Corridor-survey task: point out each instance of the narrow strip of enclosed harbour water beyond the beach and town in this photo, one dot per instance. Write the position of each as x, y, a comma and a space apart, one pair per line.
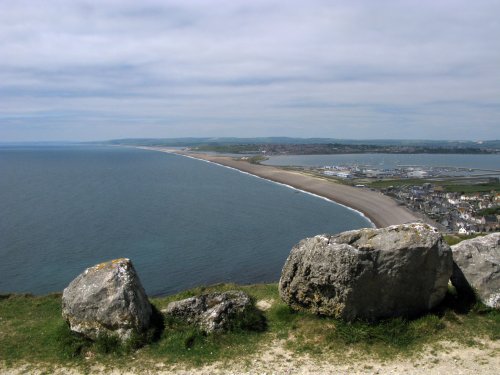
390, 161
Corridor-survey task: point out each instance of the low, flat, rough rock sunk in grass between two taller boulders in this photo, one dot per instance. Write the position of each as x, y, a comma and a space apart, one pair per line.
214, 312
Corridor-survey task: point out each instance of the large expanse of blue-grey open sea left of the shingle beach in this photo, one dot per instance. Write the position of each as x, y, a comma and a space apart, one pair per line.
183, 222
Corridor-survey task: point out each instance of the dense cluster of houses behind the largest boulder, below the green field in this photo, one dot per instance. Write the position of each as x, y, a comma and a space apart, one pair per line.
456, 212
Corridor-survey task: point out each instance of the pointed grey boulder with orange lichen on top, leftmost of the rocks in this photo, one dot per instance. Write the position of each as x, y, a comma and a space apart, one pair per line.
107, 299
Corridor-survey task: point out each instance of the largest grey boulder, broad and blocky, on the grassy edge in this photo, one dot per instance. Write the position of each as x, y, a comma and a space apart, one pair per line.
401, 270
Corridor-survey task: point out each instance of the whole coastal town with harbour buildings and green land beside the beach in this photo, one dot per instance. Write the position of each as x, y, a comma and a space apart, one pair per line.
472, 207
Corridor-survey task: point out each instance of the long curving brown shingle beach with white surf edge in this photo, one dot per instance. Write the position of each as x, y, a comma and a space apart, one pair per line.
381, 210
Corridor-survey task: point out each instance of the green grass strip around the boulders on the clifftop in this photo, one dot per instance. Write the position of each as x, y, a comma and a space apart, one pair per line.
34, 332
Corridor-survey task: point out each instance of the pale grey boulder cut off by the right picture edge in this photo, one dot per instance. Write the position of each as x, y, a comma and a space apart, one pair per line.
477, 266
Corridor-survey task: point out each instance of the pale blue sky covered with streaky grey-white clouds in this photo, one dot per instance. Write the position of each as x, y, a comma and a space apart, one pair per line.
356, 69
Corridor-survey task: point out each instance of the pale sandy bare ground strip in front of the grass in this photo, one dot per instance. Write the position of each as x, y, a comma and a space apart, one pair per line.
445, 358
